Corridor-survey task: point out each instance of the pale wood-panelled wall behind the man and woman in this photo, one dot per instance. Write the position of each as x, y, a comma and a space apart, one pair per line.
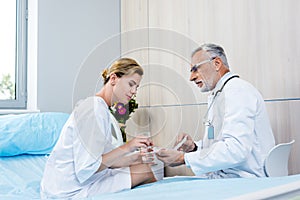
262, 43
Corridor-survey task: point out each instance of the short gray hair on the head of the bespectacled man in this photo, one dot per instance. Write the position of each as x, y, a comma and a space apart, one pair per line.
213, 50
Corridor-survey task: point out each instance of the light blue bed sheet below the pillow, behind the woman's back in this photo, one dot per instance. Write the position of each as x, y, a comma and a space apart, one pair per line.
20, 176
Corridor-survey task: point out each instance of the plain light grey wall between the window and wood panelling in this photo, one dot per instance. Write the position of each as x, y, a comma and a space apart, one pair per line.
68, 31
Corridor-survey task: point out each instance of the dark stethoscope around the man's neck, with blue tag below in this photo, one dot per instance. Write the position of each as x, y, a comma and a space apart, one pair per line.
208, 123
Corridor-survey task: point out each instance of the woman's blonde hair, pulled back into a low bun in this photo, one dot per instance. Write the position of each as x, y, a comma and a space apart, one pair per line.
121, 67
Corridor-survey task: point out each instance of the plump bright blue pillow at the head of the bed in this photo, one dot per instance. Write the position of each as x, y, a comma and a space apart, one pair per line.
33, 133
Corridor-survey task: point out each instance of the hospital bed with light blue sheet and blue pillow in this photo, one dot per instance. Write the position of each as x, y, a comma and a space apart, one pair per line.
21, 171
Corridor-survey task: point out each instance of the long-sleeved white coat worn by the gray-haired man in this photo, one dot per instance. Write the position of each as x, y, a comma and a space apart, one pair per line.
242, 133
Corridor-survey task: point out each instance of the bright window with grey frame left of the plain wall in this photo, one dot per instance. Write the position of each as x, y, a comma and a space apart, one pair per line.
13, 50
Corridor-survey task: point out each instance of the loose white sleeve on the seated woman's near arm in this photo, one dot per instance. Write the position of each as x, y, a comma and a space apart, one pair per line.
91, 124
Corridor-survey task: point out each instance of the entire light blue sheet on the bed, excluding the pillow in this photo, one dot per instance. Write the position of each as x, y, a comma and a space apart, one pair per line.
20, 177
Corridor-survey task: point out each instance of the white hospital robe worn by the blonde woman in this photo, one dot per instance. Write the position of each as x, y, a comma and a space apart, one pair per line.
70, 171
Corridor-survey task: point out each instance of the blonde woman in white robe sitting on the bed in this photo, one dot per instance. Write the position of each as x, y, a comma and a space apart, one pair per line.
90, 157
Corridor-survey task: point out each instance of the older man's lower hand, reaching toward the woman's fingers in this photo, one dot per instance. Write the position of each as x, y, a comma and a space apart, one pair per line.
171, 157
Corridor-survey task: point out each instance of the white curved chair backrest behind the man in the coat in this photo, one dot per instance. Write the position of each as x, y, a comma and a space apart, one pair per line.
276, 162
